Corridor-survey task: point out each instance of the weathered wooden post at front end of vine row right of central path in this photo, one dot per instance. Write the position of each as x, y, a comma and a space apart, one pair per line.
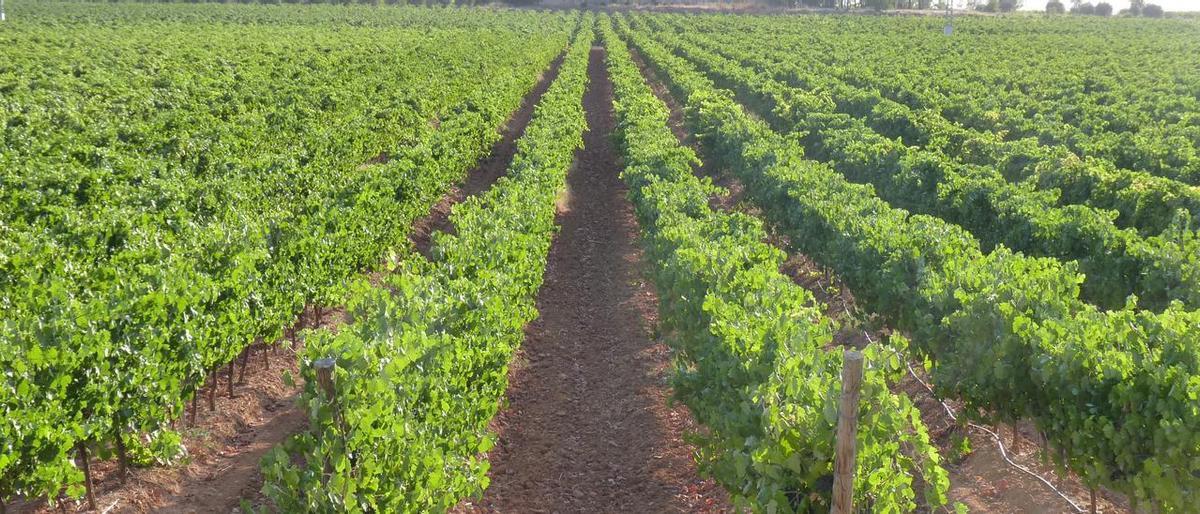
848, 432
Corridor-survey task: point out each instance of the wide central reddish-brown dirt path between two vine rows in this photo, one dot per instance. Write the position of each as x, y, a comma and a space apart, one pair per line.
589, 426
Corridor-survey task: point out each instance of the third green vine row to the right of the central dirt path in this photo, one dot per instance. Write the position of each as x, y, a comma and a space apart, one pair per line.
1118, 262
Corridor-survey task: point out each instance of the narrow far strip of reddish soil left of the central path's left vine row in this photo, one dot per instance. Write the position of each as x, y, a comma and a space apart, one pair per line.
488, 171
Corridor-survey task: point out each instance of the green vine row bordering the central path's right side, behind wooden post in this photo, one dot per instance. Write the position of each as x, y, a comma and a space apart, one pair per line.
755, 368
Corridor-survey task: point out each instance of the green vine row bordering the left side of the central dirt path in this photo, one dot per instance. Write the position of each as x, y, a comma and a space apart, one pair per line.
424, 366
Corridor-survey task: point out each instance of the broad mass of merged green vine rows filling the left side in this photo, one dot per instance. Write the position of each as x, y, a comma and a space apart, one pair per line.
178, 186
